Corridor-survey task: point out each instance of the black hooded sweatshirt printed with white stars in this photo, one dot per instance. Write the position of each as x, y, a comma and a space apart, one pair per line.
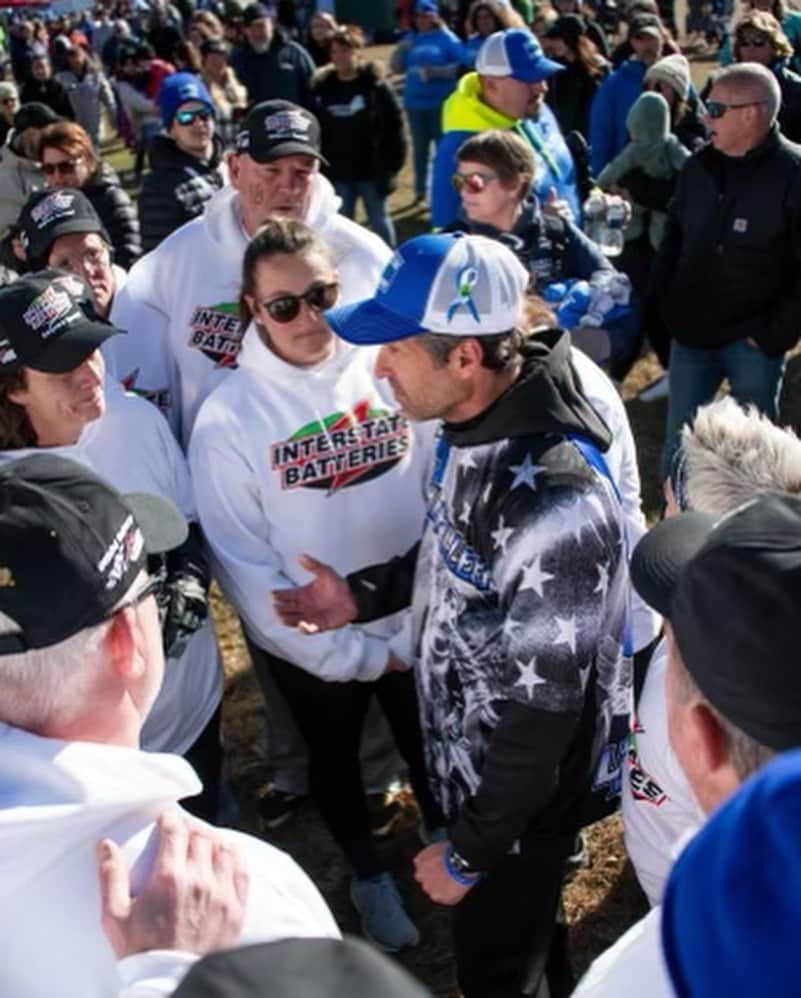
520, 615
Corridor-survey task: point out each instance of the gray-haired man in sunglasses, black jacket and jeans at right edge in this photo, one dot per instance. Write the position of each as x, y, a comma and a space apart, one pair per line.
727, 279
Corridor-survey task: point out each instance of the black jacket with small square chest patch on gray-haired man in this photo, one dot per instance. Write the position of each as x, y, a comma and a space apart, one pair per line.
729, 267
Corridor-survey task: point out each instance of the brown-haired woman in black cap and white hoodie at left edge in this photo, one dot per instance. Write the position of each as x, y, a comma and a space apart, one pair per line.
58, 398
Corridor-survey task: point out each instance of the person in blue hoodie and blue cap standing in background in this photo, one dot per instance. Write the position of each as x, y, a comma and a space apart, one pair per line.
430, 56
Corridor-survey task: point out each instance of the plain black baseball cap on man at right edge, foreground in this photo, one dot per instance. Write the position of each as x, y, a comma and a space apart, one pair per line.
731, 589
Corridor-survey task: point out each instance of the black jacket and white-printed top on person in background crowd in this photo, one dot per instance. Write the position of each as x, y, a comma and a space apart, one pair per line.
361, 115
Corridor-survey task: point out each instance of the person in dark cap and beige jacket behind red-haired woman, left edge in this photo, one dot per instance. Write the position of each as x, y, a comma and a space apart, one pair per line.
20, 171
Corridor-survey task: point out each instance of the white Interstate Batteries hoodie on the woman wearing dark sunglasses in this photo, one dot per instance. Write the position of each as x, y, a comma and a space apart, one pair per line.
287, 460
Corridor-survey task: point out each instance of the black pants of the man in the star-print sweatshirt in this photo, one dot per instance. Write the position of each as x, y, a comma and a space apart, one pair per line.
506, 938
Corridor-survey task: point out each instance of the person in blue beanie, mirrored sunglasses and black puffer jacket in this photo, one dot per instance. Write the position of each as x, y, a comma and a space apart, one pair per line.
186, 160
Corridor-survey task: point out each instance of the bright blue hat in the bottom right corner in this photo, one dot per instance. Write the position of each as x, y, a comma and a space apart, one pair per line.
730, 916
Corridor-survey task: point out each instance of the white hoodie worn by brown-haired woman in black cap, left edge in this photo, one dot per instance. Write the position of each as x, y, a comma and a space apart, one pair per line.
132, 448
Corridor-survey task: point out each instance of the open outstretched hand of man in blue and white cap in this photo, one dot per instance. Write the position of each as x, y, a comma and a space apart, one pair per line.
323, 605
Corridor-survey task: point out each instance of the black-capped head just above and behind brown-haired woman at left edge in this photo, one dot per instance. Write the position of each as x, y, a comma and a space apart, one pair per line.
60, 229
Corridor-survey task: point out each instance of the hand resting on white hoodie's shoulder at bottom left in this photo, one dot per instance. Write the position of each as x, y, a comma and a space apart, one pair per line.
194, 899
